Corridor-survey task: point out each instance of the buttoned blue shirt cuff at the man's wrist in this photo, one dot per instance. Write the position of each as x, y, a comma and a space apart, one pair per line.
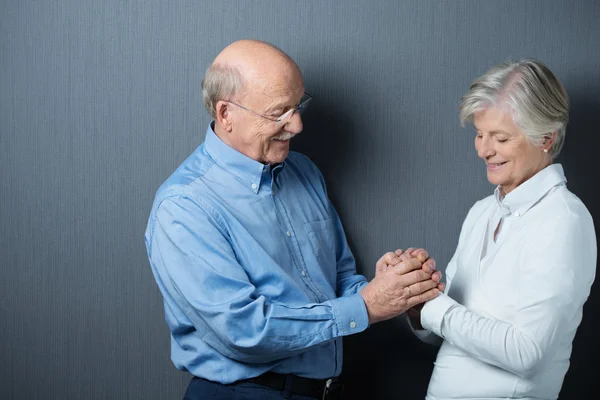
350, 314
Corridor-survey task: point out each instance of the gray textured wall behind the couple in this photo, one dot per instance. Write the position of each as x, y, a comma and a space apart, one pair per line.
100, 101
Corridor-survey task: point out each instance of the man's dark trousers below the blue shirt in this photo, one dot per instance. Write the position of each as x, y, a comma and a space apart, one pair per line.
201, 389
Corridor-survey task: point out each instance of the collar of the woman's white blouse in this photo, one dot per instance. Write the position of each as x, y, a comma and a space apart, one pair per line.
527, 194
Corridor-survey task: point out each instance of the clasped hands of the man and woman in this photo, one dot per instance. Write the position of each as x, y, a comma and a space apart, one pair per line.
403, 280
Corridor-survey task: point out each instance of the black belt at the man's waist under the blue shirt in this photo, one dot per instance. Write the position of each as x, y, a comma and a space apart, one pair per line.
317, 388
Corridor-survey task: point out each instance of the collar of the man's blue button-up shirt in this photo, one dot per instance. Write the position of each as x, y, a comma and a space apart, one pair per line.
247, 170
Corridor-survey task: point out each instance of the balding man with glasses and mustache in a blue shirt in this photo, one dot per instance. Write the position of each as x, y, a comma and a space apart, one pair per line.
259, 283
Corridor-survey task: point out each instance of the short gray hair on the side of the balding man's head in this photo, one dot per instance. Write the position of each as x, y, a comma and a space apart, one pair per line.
220, 82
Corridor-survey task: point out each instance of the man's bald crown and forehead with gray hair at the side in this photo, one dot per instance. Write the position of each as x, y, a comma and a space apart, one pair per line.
246, 66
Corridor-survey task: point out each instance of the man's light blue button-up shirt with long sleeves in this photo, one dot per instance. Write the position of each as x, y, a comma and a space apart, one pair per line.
254, 267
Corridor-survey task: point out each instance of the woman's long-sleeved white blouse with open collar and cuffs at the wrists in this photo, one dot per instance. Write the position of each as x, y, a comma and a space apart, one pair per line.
512, 305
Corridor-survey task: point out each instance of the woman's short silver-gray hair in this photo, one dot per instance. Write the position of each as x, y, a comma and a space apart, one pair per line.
537, 100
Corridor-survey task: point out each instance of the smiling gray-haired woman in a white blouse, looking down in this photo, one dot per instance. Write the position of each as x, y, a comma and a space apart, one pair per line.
526, 255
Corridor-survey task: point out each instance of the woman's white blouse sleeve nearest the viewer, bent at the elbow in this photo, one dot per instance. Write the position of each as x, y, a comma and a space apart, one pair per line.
557, 268
